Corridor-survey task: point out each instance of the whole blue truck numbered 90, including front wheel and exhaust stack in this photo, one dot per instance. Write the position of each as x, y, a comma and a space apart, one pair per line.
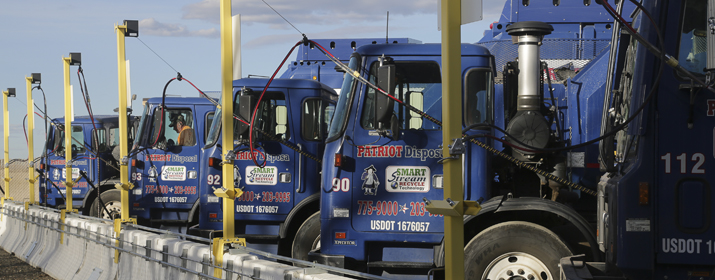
382, 160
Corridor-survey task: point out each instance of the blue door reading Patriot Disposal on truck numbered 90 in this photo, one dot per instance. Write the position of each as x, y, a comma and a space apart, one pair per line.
393, 174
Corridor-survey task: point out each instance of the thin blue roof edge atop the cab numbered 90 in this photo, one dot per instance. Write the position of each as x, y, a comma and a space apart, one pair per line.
419, 49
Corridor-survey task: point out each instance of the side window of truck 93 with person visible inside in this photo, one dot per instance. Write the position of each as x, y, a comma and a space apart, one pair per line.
173, 127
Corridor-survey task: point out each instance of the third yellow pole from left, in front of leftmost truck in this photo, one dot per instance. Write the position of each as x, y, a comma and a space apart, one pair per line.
69, 181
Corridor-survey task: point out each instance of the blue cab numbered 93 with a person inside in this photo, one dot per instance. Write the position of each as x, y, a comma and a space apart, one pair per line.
165, 161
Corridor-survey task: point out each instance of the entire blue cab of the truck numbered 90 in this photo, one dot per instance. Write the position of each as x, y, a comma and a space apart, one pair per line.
372, 205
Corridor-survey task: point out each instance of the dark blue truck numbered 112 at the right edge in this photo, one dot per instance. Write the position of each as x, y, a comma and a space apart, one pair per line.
655, 201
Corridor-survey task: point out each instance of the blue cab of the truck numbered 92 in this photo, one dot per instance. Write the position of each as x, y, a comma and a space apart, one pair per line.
281, 194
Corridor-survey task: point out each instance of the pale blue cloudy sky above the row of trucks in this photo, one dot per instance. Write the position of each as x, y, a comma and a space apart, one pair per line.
178, 35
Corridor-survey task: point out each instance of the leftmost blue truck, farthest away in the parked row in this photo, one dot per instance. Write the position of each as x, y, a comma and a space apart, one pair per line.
94, 166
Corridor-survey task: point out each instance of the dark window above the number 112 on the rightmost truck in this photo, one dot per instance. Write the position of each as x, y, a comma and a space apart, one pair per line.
692, 52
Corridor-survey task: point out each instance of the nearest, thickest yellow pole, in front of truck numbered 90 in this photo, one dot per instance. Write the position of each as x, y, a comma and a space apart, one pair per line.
451, 98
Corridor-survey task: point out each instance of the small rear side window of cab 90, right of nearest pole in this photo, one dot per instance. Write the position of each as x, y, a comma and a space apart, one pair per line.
478, 96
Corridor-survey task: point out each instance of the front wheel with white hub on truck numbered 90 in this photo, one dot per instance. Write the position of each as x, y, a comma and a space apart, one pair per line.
514, 249
